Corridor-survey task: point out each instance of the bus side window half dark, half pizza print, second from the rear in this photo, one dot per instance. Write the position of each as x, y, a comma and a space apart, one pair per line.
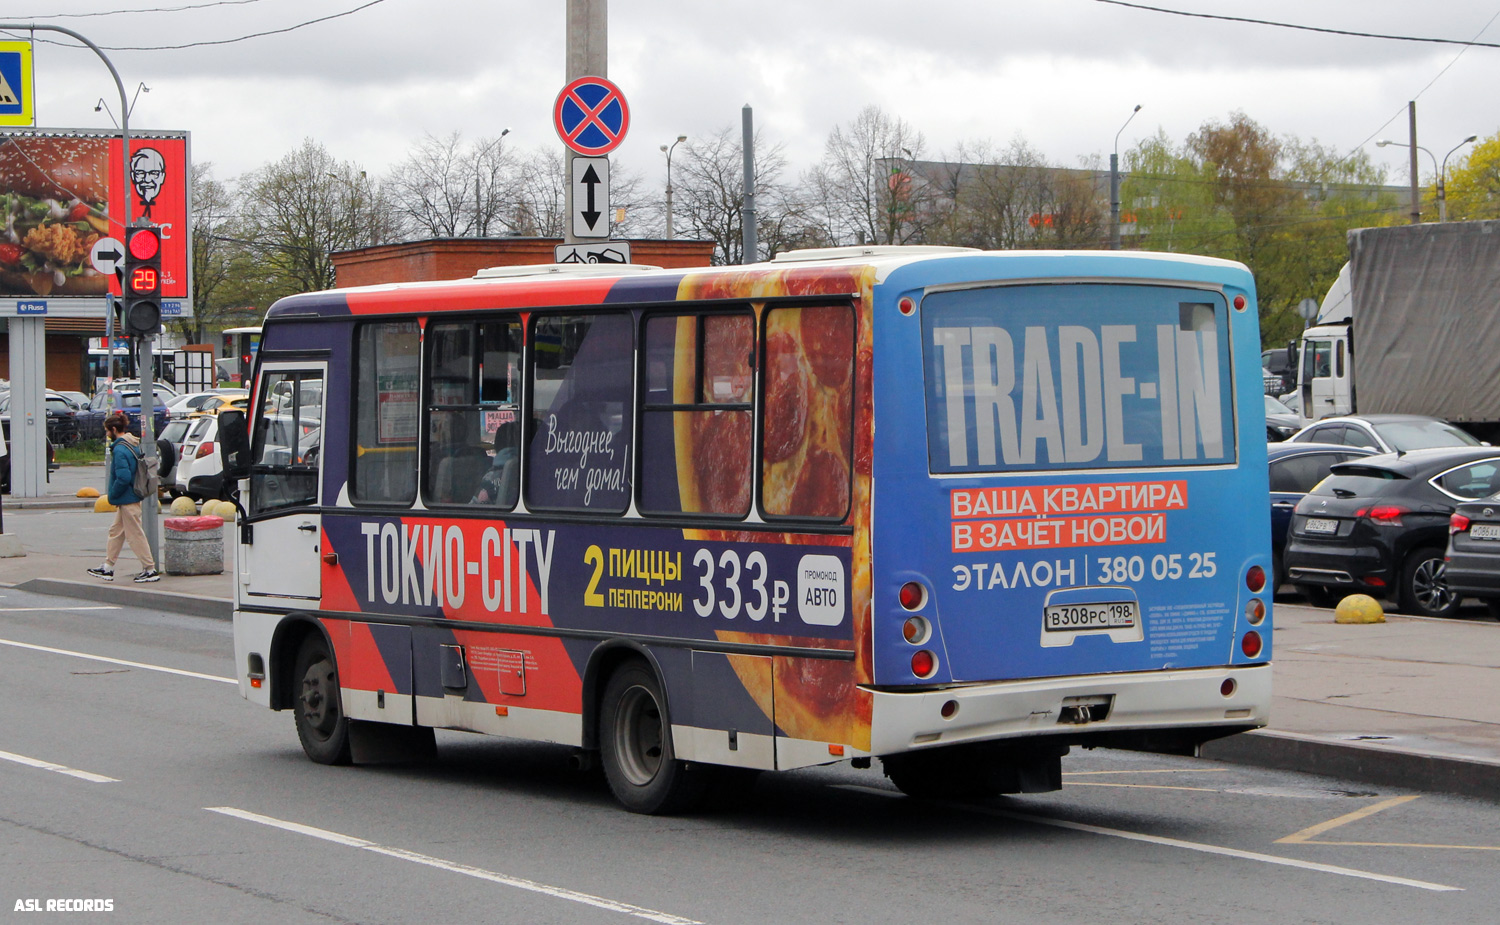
698, 430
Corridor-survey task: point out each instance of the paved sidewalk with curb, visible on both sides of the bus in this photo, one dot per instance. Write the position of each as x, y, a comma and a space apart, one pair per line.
1403, 704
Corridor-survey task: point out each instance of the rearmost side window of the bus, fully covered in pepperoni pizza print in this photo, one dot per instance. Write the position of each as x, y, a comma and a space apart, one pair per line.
809, 412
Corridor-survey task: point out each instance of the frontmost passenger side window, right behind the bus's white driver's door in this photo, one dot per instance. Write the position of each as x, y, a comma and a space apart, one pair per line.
388, 413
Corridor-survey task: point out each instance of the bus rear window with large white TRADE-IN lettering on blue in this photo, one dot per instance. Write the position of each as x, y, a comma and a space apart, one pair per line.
1076, 377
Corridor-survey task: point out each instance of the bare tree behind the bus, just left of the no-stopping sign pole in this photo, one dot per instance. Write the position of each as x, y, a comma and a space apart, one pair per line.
449, 190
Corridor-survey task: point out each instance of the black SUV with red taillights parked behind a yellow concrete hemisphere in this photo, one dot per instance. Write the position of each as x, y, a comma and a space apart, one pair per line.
1379, 527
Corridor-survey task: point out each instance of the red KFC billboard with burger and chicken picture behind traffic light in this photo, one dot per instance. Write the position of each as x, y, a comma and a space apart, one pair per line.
62, 196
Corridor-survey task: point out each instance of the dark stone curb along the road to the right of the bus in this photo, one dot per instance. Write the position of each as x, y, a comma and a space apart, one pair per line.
1358, 762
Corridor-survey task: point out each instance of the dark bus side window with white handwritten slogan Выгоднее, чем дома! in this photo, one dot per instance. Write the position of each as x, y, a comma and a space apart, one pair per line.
583, 413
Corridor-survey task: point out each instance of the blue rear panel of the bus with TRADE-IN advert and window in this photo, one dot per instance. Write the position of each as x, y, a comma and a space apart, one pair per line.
1076, 491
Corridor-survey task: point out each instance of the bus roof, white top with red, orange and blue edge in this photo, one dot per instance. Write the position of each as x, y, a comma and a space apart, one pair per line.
550, 286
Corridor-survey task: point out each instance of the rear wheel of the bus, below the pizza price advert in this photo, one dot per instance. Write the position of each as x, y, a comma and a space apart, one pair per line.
635, 740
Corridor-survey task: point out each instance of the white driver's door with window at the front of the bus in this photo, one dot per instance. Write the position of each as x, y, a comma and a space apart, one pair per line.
281, 557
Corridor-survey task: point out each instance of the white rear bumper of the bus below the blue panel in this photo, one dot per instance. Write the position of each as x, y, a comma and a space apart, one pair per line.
1114, 710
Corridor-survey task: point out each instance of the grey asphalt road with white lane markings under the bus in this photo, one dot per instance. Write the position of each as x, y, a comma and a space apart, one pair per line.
133, 773
